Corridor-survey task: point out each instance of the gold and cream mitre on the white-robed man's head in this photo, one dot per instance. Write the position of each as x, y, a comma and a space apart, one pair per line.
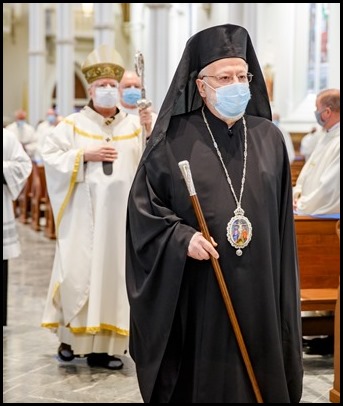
102, 63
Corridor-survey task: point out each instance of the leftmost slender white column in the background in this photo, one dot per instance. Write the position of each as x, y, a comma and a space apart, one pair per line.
37, 63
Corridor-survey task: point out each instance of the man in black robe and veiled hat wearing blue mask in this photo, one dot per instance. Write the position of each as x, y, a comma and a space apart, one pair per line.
216, 115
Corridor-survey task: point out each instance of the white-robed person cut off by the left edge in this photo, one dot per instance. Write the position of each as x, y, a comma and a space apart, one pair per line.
17, 167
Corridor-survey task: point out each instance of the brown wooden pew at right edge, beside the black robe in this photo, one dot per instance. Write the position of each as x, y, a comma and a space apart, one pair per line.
319, 265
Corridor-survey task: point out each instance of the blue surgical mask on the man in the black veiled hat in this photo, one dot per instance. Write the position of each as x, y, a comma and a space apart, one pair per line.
232, 100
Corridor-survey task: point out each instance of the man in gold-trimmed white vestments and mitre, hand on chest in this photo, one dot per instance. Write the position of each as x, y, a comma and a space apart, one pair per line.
90, 161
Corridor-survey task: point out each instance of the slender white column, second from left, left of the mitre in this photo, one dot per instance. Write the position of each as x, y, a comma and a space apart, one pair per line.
65, 58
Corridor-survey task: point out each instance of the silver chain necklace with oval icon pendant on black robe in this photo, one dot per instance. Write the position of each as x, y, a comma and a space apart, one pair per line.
239, 229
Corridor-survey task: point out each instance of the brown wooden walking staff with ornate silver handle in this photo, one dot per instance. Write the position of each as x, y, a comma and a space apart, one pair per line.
187, 175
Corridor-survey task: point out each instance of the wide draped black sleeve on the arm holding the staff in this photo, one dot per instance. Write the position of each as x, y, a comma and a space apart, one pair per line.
157, 243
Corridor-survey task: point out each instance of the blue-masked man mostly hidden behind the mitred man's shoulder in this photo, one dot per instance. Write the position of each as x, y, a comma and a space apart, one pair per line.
130, 90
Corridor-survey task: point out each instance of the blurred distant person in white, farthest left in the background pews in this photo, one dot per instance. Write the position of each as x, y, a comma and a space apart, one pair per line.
24, 131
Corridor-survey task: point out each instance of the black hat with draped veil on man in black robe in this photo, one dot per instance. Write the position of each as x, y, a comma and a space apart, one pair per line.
203, 48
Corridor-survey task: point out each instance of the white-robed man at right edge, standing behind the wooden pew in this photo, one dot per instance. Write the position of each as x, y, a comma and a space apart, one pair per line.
317, 190
